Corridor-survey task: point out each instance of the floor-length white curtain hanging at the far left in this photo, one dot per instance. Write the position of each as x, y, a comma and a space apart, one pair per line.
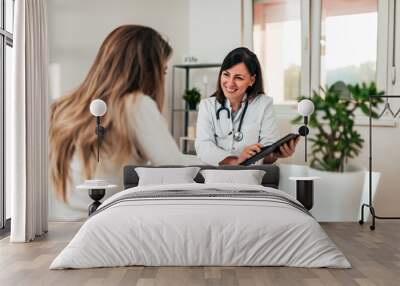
26, 117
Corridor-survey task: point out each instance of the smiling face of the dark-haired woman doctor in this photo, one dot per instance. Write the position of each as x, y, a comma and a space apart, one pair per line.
235, 81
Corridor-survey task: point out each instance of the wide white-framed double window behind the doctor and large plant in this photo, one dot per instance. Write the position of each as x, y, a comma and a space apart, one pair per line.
305, 44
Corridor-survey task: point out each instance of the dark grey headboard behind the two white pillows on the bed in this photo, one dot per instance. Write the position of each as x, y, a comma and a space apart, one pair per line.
270, 179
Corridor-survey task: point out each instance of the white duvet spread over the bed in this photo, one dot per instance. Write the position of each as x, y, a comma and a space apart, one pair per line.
200, 231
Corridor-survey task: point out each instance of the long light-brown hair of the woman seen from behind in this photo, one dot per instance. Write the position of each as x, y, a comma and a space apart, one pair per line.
131, 59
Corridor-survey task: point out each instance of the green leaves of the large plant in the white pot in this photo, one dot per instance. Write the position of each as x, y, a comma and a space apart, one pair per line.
335, 139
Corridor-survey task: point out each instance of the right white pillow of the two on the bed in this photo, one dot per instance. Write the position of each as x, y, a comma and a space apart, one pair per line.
248, 177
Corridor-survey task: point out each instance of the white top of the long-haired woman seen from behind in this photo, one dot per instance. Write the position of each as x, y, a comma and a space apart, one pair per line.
154, 142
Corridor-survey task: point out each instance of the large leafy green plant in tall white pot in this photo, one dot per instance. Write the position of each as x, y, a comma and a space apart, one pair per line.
334, 140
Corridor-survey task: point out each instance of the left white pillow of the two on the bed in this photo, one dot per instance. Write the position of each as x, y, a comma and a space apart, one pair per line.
165, 176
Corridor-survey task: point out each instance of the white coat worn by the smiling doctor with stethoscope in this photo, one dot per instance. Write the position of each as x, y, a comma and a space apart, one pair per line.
214, 138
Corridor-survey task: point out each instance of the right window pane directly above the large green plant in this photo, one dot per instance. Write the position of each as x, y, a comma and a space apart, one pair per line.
349, 31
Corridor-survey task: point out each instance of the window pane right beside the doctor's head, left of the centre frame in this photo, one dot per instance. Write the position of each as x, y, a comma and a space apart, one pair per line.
277, 43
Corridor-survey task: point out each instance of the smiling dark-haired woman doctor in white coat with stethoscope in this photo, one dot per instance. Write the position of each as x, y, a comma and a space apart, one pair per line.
238, 119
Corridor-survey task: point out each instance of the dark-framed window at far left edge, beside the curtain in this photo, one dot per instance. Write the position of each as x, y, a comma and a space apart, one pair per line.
6, 43
